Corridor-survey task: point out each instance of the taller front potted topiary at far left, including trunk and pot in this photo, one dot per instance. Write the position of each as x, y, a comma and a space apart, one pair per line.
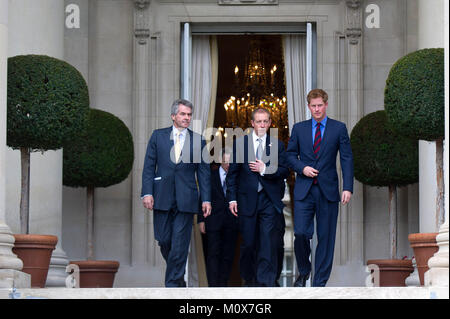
47, 105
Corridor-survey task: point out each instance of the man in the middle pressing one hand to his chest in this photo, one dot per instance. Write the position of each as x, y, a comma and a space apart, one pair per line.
254, 193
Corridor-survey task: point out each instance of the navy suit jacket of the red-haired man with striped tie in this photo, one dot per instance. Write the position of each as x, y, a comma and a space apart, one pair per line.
300, 153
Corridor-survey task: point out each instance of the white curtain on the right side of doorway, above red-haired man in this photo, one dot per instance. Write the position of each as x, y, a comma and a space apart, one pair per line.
295, 65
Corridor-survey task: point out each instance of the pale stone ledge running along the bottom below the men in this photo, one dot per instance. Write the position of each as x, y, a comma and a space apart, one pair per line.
230, 293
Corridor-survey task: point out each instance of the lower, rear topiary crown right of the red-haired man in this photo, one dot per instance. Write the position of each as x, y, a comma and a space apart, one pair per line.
382, 156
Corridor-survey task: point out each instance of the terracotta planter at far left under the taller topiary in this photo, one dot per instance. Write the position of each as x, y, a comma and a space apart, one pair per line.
35, 251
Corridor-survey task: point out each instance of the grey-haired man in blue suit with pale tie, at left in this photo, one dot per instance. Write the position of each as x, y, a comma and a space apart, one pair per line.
169, 188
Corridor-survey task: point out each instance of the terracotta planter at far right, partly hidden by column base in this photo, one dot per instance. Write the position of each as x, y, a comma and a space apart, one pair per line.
424, 246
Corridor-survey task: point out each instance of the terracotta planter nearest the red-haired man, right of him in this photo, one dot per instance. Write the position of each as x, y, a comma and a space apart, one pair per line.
393, 272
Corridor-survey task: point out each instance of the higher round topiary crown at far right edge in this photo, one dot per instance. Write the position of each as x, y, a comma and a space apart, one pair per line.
414, 94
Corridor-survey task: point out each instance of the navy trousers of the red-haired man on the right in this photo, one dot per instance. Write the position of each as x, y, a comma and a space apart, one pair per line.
326, 213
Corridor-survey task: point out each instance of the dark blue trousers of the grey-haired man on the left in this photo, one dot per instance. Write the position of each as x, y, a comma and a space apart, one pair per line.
173, 232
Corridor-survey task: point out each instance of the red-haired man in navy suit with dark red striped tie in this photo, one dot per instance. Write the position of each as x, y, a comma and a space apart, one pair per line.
311, 153
